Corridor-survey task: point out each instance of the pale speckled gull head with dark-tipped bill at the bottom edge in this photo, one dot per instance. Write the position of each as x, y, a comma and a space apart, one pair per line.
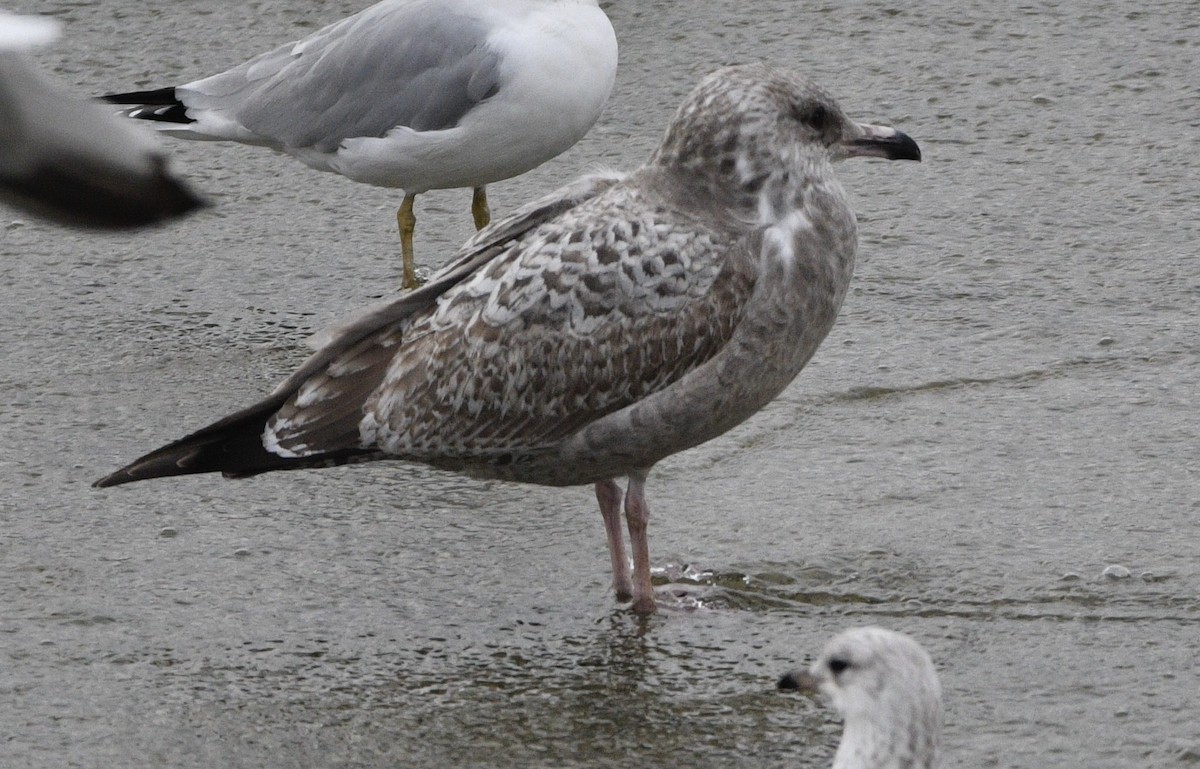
885, 687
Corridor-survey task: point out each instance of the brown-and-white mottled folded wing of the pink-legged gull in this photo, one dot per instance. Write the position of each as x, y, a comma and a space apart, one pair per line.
580, 317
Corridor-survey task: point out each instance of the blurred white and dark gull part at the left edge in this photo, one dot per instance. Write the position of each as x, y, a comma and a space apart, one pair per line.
67, 159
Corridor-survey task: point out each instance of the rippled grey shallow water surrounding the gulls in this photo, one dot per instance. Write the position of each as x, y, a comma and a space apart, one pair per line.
1006, 410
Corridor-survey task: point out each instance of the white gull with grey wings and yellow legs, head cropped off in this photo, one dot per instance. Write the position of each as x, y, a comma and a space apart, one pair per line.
413, 94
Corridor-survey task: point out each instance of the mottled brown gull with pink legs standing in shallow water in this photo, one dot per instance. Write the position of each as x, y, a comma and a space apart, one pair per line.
598, 331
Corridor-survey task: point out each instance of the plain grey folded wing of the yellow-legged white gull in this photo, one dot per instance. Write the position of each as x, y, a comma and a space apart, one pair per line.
394, 57
